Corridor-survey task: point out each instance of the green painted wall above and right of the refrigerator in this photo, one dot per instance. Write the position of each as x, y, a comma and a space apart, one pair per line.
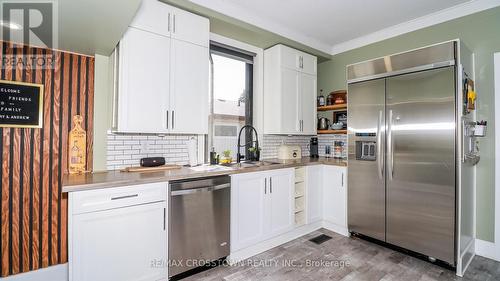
481, 33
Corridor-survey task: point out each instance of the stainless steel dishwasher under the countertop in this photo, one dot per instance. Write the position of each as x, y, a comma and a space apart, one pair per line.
198, 222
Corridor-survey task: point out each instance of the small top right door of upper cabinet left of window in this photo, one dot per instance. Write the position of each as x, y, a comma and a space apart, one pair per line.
186, 27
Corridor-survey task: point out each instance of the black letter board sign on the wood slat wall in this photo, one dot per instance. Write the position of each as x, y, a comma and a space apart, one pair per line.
21, 104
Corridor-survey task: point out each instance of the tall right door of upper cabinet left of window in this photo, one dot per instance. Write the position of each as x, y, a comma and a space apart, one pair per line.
189, 88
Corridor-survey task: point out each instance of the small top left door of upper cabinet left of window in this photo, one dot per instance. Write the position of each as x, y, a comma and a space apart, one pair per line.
153, 16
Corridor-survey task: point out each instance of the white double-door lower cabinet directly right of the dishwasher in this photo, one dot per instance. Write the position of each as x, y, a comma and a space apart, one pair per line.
261, 206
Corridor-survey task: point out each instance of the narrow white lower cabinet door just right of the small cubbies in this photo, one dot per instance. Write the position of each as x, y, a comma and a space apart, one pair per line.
314, 193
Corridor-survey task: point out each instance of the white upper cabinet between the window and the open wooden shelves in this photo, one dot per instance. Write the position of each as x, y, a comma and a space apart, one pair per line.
290, 84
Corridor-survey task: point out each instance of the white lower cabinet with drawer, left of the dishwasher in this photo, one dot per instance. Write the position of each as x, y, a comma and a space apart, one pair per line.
121, 236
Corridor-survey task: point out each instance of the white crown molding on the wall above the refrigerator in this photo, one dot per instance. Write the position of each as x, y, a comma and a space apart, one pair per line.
451, 13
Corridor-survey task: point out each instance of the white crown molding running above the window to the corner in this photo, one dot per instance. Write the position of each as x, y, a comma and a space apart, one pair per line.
229, 9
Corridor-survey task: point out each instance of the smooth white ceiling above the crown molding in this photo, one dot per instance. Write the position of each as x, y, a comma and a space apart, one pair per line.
333, 26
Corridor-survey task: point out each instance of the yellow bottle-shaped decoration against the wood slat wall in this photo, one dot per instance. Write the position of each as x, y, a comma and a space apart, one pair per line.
77, 149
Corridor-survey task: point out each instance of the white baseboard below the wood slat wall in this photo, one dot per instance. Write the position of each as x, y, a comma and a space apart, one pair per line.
52, 273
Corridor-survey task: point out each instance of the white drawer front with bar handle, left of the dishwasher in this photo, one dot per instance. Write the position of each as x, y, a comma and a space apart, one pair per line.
111, 198
